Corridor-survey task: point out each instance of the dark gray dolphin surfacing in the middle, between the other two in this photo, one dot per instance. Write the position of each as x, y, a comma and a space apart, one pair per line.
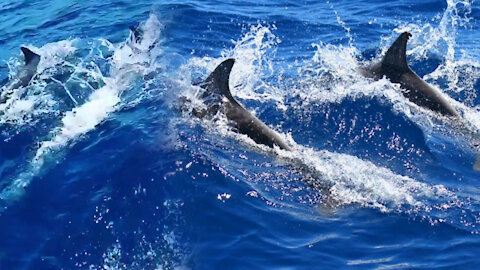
244, 122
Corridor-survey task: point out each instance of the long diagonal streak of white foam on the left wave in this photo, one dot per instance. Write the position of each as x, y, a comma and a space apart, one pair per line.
129, 62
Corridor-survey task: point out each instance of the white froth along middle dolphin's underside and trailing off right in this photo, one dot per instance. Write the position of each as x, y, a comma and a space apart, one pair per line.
351, 180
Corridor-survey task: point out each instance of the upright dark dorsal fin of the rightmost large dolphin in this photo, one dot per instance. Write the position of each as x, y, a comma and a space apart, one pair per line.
396, 56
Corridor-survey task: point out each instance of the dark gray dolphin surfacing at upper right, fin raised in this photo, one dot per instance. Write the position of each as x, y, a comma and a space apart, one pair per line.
394, 66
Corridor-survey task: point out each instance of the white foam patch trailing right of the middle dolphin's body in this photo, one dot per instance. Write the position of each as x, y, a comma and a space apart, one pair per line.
356, 181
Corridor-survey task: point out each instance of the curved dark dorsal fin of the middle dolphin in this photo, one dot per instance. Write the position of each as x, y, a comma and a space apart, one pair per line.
218, 80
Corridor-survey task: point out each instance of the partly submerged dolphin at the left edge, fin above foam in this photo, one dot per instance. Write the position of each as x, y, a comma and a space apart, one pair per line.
24, 76
